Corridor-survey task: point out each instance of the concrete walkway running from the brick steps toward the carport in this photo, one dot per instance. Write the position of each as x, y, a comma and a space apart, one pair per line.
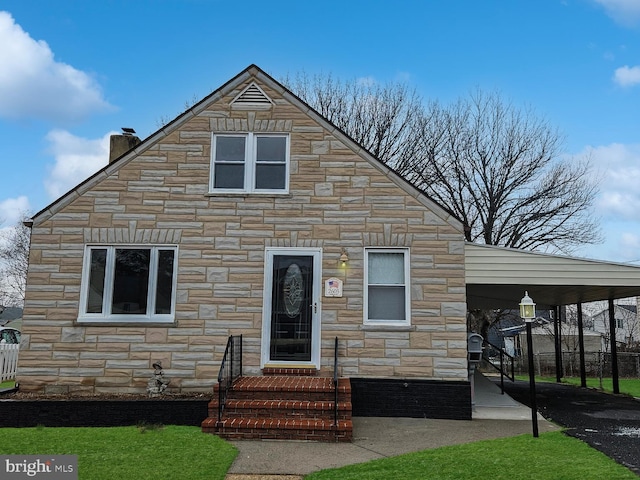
494, 416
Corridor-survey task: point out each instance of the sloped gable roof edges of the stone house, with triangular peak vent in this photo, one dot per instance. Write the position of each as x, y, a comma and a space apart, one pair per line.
444, 214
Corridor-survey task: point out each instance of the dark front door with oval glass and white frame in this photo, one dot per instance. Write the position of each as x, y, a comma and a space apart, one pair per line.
291, 329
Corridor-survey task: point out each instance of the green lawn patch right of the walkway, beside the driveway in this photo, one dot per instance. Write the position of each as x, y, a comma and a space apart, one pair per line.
553, 456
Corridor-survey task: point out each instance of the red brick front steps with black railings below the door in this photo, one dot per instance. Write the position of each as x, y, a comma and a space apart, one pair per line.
283, 408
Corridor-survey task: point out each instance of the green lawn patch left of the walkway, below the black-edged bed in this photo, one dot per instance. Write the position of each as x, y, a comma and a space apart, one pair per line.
141, 453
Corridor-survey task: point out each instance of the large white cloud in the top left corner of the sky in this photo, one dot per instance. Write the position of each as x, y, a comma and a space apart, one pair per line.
34, 85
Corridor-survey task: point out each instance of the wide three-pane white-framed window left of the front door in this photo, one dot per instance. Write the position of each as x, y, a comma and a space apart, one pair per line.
128, 284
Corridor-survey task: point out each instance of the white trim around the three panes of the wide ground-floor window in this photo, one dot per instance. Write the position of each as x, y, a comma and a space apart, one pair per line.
105, 316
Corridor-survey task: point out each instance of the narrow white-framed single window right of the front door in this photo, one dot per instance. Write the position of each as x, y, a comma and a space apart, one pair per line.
387, 292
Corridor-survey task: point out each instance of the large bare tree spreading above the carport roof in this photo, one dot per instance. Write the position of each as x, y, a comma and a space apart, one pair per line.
500, 170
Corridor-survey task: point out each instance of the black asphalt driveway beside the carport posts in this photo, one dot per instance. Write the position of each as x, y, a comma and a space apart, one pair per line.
609, 423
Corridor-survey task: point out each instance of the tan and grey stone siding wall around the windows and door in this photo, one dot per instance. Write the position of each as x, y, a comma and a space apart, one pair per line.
337, 200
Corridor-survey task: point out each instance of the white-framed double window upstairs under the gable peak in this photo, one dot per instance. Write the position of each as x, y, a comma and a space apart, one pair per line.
250, 162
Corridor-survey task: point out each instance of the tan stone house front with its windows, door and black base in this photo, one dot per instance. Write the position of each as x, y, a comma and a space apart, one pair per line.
249, 214
